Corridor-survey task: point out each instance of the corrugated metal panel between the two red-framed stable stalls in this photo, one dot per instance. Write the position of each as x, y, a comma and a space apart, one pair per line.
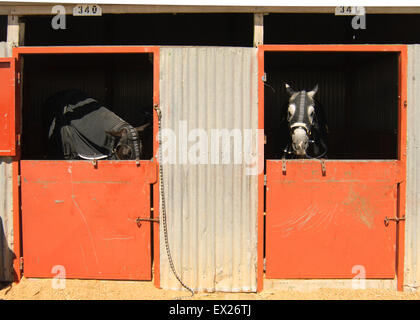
211, 209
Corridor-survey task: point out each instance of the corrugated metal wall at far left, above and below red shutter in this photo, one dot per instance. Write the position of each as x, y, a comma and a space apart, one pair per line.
6, 204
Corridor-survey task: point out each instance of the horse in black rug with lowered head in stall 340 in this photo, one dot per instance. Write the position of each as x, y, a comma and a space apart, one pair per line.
81, 128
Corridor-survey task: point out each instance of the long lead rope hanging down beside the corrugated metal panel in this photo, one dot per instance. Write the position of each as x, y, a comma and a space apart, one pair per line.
162, 199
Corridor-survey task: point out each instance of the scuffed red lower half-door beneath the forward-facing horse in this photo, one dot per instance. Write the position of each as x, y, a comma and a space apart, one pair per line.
330, 223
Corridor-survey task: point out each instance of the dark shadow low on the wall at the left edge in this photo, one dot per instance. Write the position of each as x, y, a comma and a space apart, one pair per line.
6, 260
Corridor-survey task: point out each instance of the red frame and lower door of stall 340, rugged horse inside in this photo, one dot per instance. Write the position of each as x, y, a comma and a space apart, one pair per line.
80, 219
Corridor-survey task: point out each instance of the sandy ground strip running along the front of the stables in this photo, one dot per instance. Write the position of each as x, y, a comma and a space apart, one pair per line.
42, 289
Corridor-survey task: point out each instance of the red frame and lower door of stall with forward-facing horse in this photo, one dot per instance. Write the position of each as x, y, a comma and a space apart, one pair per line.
334, 219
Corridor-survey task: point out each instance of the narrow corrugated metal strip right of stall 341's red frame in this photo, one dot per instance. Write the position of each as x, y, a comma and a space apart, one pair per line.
412, 225
